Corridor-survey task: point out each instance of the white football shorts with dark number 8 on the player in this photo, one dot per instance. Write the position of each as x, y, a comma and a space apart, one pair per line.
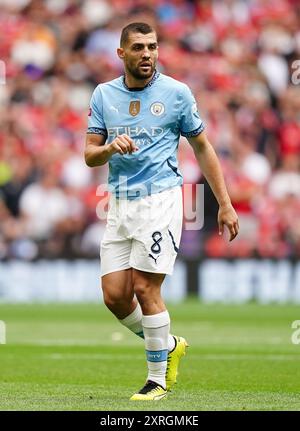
143, 234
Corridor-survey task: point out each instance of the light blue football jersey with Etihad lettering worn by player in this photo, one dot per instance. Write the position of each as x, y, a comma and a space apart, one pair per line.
154, 117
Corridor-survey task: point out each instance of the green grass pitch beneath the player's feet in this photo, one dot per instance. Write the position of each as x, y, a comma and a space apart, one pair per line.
78, 357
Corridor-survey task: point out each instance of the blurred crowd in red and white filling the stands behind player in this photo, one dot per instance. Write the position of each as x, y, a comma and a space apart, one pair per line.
238, 57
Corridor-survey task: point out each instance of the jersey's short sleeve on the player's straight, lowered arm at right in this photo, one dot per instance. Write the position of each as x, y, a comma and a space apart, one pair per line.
191, 123
